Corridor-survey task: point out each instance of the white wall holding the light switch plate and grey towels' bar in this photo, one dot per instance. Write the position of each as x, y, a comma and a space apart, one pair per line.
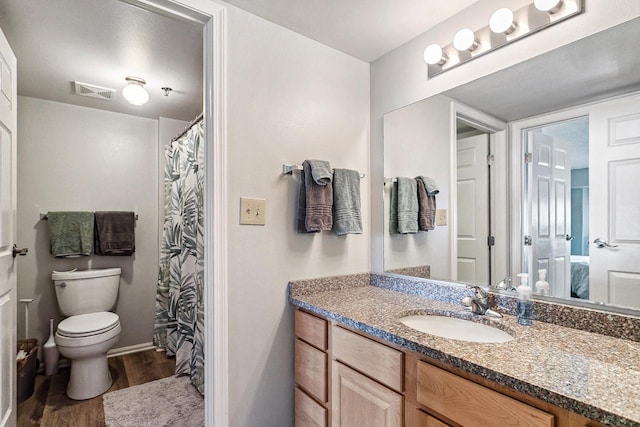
289, 99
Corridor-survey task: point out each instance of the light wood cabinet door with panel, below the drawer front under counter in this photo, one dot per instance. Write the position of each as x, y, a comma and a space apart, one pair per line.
358, 401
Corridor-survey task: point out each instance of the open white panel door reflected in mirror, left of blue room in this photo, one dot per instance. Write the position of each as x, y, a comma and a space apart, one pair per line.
549, 189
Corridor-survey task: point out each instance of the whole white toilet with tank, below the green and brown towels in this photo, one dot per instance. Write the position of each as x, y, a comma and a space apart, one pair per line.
90, 330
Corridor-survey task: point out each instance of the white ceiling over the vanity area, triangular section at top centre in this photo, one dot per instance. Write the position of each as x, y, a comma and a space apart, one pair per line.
365, 29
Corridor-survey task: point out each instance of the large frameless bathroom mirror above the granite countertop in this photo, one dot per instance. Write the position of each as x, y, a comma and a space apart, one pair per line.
473, 139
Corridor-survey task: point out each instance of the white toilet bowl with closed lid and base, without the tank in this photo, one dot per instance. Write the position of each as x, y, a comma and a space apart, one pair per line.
85, 340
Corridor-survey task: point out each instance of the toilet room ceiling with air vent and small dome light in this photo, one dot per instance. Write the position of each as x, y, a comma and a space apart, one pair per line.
101, 42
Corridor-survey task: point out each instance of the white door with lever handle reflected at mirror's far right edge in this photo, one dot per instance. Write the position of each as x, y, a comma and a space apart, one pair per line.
614, 159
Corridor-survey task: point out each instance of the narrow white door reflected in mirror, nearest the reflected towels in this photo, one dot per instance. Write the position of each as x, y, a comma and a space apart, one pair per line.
473, 209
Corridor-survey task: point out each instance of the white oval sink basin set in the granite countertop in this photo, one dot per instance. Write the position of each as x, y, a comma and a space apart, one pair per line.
457, 329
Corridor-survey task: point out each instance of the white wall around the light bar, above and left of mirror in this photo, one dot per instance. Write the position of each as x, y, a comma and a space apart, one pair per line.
400, 77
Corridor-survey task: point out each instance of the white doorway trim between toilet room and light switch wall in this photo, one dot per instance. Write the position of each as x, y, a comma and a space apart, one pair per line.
213, 17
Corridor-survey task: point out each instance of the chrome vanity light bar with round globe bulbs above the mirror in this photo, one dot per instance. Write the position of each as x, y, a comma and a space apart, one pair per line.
505, 26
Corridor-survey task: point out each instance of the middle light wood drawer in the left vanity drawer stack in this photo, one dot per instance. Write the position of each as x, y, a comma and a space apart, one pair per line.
311, 370
